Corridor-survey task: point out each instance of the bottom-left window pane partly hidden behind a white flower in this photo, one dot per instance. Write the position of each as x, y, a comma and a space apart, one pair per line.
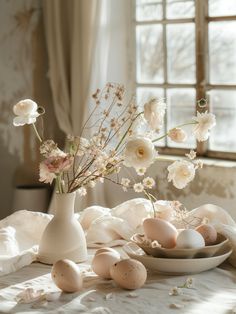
144, 95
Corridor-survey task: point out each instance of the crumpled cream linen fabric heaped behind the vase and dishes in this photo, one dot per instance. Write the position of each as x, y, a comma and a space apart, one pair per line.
20, 232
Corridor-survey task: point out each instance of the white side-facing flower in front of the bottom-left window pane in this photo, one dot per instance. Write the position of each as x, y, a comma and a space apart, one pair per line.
154, 112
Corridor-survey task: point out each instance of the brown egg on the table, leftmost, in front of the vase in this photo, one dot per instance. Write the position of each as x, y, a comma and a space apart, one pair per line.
66, 276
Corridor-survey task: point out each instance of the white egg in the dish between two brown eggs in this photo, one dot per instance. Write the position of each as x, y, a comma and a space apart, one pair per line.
189, 239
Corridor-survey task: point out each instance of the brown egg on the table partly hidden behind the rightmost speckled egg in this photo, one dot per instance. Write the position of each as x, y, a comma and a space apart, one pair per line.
102, 263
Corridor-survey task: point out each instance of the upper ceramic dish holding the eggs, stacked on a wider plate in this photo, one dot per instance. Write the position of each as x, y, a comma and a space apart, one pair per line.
157, 251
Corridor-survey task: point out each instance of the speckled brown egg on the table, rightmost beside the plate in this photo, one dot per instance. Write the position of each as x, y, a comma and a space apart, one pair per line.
129, 274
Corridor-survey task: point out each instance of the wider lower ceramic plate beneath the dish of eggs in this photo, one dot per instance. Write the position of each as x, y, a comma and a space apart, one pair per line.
177, 266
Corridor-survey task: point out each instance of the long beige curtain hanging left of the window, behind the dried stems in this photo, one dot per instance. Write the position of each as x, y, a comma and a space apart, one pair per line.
87, 47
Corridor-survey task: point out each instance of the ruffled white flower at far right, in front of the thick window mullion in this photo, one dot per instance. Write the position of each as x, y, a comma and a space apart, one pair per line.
205, 122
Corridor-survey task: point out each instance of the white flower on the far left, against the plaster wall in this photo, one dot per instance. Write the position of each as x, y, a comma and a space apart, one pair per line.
26, 112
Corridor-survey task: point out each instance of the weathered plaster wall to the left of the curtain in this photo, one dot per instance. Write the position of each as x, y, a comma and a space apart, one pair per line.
23, 74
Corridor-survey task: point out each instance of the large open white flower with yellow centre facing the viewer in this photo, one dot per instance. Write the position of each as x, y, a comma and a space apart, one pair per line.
139, 152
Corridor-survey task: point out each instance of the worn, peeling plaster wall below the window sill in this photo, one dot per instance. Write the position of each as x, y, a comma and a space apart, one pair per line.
215, 183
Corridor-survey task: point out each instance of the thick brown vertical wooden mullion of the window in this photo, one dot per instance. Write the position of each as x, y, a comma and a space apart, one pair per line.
201, 64
